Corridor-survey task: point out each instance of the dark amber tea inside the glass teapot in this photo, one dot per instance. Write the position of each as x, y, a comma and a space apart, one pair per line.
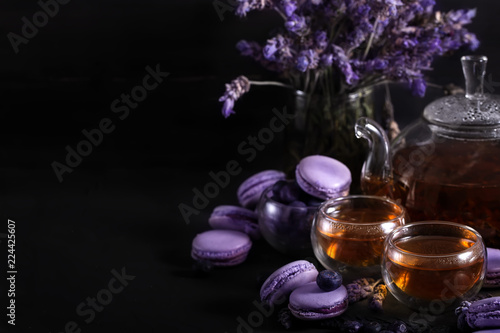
448, 189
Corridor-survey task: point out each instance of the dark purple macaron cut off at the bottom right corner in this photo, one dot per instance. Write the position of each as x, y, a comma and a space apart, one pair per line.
484, 313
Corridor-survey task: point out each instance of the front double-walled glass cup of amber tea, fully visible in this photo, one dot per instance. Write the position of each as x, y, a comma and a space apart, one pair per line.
433, 261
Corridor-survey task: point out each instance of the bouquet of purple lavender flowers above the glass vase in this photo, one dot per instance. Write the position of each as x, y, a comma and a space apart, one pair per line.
336, 47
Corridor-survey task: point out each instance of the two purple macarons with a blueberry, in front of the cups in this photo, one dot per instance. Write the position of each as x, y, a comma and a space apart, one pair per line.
311, 295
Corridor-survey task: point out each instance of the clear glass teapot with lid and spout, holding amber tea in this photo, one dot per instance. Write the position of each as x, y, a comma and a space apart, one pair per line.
446, 165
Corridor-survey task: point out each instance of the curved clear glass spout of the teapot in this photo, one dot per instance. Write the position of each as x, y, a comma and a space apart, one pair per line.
376, 174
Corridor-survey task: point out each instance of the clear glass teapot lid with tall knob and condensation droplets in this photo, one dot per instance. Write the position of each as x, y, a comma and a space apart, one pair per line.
473, 115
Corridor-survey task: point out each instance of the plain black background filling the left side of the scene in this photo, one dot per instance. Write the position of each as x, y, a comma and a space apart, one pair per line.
119, 207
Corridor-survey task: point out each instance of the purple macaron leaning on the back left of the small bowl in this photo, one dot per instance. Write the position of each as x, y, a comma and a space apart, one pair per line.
250, 191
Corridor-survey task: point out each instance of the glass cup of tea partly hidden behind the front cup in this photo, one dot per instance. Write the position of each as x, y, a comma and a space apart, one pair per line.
348, 233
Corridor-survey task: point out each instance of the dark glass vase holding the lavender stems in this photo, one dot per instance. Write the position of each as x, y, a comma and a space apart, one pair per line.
324, 125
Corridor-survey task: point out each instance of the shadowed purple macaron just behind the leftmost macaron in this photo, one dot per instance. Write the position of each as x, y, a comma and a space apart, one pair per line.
235, 218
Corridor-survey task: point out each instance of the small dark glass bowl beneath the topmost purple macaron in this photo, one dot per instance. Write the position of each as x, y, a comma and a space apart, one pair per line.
286, 228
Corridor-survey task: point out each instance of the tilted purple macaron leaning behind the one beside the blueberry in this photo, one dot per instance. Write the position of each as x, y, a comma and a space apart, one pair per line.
285, 279
